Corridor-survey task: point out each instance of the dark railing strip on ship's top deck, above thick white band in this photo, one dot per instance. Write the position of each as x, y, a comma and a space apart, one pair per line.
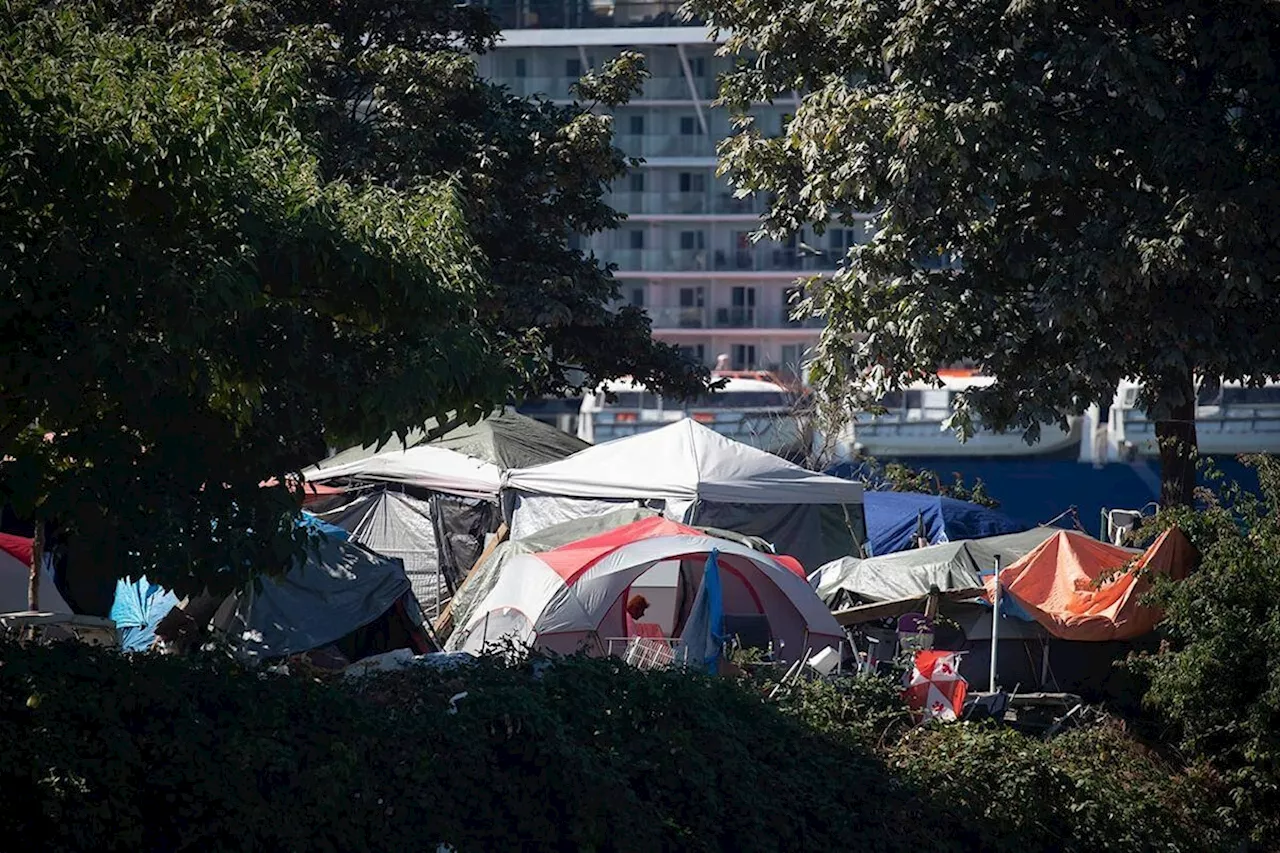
586, 15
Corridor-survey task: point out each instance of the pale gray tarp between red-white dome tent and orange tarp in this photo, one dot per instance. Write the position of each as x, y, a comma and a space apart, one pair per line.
952, 565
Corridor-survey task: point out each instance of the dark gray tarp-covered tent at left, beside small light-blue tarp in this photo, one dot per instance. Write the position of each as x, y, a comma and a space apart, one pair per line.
336, 590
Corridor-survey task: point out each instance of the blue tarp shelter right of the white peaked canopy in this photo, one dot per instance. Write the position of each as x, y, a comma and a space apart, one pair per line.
895, 521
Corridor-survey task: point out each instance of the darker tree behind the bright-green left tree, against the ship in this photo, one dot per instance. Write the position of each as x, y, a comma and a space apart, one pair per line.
399, 103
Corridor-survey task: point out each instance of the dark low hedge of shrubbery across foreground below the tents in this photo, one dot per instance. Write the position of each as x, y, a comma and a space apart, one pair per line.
106, 754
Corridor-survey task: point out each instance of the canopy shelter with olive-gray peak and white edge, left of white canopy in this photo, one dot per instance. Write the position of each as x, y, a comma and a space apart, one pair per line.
432, 504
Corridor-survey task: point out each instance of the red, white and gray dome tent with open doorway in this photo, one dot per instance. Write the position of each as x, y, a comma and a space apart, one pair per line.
575, 597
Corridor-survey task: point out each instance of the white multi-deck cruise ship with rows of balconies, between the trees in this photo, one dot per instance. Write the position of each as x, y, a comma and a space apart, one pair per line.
685, 253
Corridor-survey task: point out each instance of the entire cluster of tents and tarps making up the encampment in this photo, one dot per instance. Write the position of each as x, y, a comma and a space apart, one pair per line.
665, 546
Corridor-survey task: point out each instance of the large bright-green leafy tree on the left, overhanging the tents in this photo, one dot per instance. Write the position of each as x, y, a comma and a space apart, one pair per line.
194, 300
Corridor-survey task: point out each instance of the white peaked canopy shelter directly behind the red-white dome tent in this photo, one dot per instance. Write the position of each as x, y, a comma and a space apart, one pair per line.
696, 476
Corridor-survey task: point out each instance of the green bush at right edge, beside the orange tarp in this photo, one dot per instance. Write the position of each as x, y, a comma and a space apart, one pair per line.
1217, 679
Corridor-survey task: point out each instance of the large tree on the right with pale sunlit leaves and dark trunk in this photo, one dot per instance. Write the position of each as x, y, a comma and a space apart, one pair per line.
1068, 194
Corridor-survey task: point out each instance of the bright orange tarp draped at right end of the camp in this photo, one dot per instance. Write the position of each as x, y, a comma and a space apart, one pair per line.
1058, 585
